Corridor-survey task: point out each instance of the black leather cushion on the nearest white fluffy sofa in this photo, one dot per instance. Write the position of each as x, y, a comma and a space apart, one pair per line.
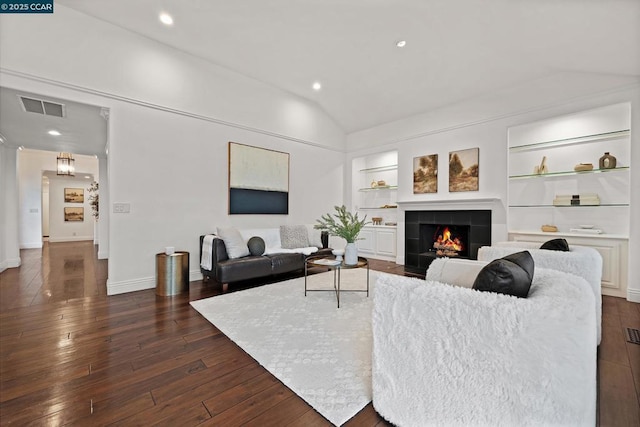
511, 275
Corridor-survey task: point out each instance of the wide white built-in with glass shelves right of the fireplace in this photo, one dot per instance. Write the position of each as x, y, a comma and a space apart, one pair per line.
566, 142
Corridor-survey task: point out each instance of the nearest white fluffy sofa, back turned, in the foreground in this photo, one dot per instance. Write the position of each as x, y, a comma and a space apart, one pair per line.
452, 356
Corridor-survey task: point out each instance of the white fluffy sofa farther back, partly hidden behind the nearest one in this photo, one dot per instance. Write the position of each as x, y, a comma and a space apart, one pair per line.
580, 260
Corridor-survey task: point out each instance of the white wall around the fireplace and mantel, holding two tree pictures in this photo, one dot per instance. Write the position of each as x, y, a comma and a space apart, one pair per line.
463, 126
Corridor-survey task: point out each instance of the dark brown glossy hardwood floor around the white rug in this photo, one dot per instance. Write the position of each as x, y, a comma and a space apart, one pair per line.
70, 355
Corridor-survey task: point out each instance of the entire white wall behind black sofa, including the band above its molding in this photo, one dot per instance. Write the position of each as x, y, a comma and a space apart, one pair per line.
171, 117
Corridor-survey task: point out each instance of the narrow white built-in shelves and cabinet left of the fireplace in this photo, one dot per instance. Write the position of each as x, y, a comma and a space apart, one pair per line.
374, 195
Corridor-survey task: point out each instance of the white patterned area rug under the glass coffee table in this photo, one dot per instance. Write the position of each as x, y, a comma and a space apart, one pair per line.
321, 352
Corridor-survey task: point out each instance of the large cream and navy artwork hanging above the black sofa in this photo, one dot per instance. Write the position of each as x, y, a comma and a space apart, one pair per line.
258, 180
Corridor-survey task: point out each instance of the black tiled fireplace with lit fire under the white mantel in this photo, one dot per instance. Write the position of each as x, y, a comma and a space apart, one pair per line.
452, 233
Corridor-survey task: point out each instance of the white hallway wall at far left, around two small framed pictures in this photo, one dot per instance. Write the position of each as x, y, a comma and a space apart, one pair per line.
31, 165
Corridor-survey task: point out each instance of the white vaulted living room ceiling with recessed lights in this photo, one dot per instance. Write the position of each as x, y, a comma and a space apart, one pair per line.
456, 49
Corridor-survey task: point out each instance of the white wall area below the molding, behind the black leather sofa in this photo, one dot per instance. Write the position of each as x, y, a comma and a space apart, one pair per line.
172, 170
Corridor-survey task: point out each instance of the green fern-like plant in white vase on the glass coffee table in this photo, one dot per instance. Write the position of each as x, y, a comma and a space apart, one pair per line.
346, 225
